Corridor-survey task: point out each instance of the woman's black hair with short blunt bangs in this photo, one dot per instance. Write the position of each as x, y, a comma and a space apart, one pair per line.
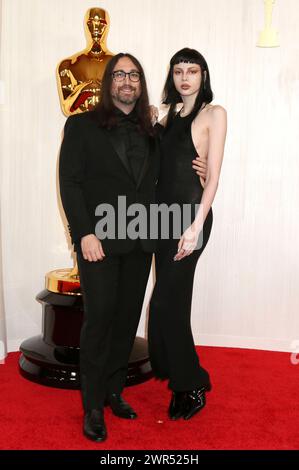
172, 97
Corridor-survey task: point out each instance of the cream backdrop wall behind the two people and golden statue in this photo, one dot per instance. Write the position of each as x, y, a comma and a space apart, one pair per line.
246, 285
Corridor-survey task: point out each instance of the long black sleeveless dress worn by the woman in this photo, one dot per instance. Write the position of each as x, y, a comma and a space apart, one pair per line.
171, 346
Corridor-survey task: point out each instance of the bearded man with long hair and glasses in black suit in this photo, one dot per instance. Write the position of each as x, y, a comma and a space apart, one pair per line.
106, 153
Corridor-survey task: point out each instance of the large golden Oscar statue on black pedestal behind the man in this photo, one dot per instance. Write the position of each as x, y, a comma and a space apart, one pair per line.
52, 358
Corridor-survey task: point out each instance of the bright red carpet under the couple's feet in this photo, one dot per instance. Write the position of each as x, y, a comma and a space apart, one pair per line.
254, 404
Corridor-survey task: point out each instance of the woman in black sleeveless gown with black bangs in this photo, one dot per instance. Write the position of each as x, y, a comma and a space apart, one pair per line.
198, 125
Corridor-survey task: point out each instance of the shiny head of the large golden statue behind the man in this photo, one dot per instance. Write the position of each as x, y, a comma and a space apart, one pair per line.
96, 24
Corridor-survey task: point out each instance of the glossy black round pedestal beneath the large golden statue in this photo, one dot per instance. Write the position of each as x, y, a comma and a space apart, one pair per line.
52, 358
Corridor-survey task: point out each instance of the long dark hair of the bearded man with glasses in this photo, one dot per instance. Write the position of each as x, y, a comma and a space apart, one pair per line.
104, 112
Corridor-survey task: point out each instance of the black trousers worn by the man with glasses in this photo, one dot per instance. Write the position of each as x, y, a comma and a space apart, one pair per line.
113, 294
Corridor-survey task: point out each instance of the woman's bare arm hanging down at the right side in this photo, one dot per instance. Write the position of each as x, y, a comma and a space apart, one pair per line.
217, 135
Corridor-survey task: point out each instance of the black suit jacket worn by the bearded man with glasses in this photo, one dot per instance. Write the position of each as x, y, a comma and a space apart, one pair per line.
93, 169
